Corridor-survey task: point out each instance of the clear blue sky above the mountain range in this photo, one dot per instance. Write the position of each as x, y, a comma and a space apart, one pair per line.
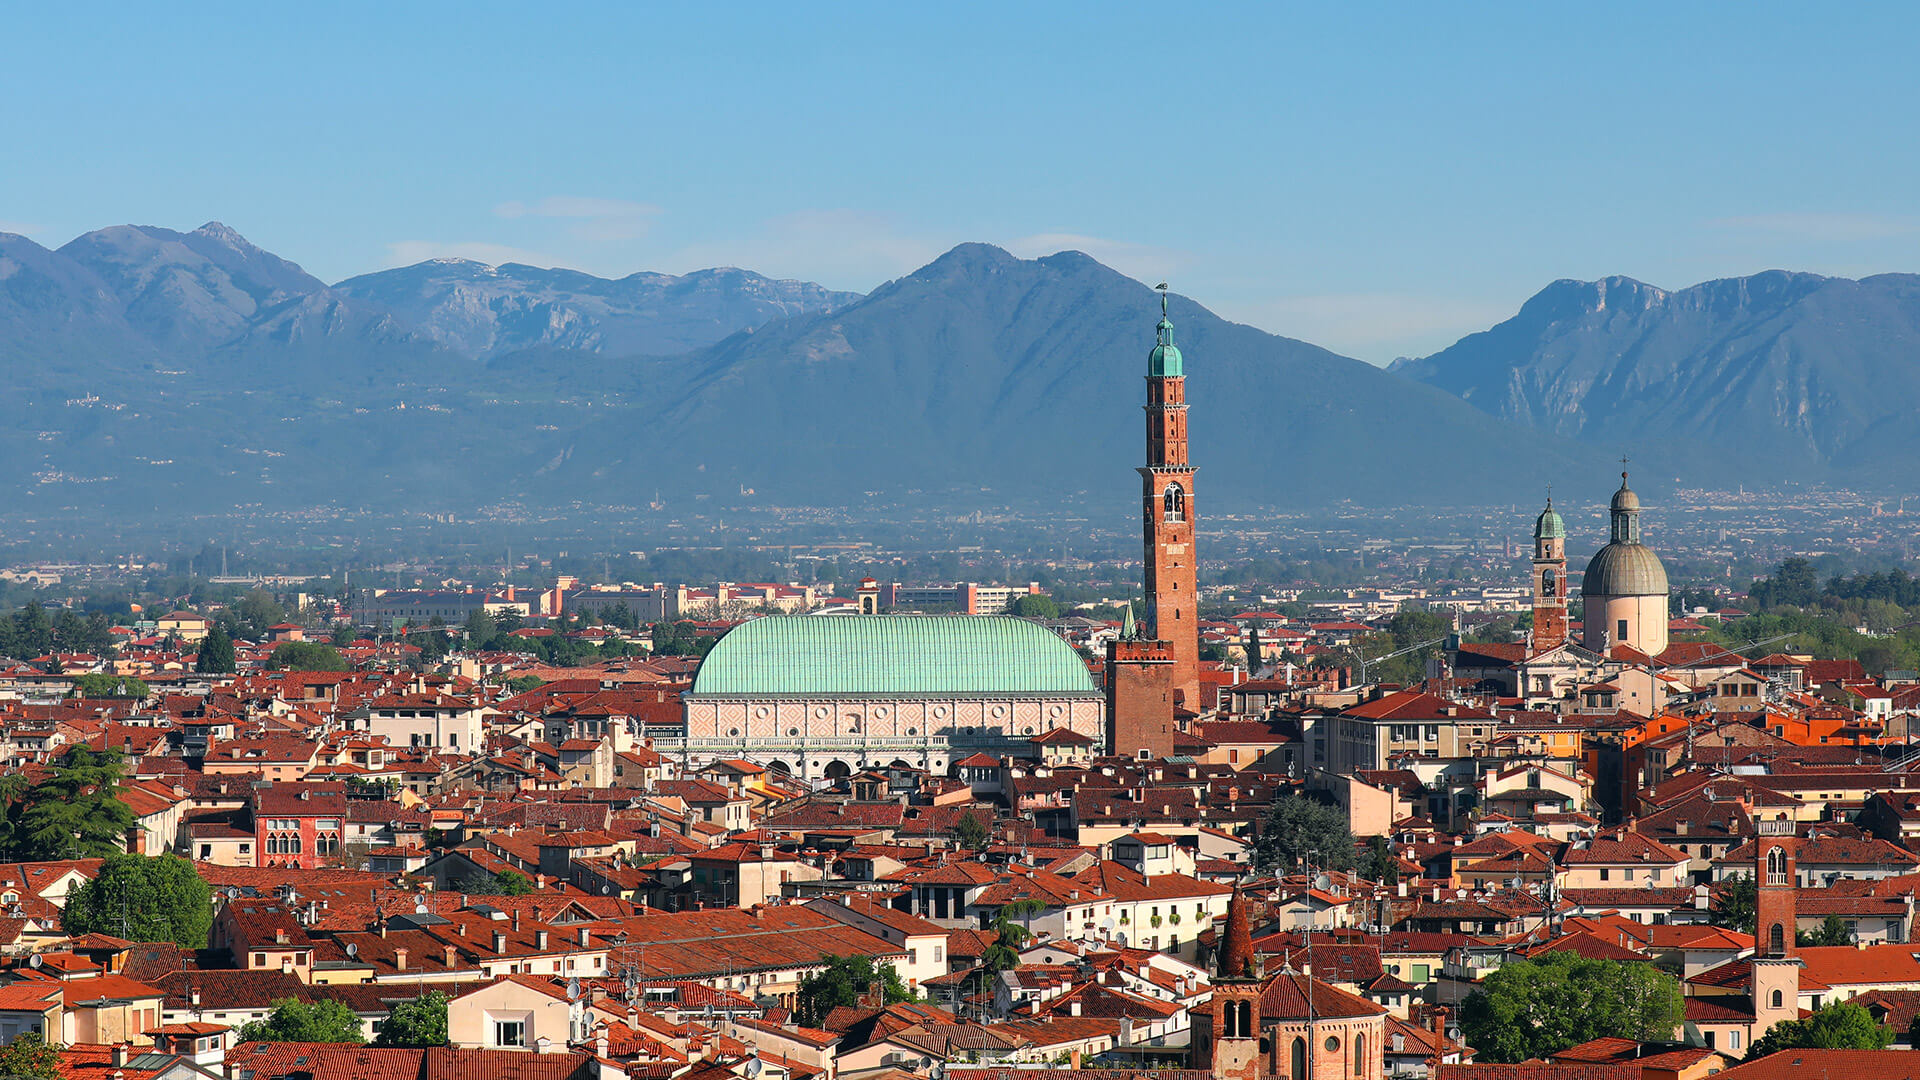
1378, 180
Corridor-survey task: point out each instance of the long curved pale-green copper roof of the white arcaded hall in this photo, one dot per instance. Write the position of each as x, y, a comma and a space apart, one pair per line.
892, 656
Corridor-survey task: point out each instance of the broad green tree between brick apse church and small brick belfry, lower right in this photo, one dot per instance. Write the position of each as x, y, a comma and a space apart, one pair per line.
1545, 1006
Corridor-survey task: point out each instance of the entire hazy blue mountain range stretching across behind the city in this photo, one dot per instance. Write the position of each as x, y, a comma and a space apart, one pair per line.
193, 372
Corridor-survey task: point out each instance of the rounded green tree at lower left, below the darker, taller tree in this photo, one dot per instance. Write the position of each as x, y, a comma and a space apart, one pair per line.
143, 898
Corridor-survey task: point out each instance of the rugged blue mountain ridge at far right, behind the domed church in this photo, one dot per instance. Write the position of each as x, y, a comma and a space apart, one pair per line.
1775, 376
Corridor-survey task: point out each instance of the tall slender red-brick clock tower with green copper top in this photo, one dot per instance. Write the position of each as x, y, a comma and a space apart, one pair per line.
1168, 514
